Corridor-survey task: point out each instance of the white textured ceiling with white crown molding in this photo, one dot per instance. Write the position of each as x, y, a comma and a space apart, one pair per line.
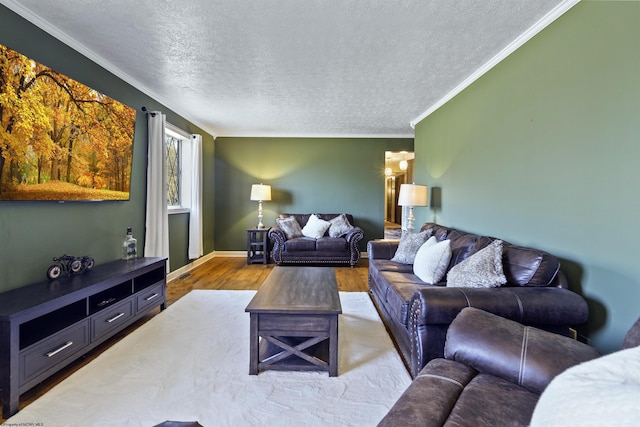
292, 67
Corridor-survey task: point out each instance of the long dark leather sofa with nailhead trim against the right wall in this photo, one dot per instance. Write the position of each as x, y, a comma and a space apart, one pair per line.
418, 314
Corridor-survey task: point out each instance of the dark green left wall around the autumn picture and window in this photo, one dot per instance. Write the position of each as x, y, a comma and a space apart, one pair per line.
33, 233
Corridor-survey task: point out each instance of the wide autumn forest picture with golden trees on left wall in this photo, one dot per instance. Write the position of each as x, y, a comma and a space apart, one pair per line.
59, 139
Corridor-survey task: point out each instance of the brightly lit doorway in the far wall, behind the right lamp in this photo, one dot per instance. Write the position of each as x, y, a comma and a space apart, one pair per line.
398, 170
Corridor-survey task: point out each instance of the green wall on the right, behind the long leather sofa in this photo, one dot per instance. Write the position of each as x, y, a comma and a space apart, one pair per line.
543, 150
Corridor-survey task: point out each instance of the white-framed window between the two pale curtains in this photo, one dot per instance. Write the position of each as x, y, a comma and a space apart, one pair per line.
178, 155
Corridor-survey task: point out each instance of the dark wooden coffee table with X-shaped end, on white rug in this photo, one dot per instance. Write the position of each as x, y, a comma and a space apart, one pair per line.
294, 321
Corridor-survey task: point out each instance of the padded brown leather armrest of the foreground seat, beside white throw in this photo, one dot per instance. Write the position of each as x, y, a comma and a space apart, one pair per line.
524, 355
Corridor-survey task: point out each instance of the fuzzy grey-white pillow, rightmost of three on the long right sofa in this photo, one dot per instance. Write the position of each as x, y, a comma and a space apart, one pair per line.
481, 270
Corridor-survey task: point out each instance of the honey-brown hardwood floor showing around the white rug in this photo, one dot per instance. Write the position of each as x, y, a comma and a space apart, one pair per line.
218, 273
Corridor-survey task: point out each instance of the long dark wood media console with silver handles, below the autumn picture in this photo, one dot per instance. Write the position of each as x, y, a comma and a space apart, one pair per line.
47, 325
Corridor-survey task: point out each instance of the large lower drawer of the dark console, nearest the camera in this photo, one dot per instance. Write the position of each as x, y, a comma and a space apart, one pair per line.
53, 350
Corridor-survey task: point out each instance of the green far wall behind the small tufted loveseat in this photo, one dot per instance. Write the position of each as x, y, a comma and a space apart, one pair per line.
306, 175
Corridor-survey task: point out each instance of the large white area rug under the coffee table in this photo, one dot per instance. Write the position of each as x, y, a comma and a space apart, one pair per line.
191, 363
